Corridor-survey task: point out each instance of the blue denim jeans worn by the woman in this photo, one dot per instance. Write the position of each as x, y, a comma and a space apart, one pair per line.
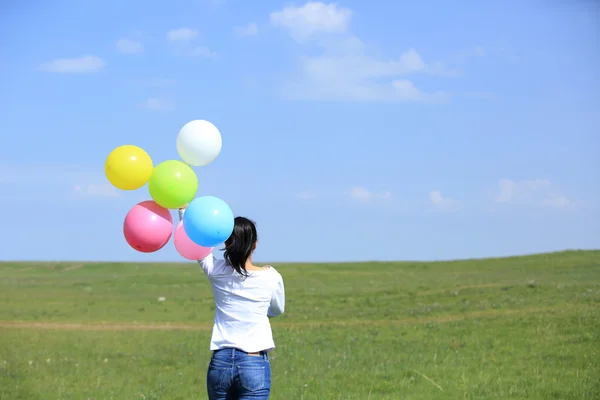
237, 375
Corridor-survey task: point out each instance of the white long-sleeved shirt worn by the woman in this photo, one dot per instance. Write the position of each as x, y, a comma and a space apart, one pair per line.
243, 305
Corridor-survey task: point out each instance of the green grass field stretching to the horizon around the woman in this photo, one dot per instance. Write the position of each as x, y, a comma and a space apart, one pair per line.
516, 328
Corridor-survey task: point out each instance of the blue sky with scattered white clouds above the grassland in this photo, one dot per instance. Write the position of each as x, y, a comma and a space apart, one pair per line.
351, 131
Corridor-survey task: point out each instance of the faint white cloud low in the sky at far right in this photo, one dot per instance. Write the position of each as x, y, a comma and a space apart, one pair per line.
536, 192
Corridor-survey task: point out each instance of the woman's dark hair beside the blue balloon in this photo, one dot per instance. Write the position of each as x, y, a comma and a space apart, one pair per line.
240, 244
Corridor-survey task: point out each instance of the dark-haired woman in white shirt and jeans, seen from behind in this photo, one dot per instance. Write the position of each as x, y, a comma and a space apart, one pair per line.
245, 296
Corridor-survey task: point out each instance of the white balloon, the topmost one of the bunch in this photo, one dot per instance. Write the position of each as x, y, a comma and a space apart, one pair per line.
199, 143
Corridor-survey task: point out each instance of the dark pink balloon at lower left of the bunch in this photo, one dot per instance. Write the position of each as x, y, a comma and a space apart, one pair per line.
148, 227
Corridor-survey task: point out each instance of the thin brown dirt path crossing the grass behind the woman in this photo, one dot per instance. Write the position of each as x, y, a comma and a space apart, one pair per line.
115, 326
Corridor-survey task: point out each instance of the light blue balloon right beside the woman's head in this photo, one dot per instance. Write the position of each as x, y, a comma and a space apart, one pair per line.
208, 221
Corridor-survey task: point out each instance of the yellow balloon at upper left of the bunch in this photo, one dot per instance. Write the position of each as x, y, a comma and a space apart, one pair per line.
128, 167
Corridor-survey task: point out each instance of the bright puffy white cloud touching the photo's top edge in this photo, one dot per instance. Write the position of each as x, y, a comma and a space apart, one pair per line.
312, 18
